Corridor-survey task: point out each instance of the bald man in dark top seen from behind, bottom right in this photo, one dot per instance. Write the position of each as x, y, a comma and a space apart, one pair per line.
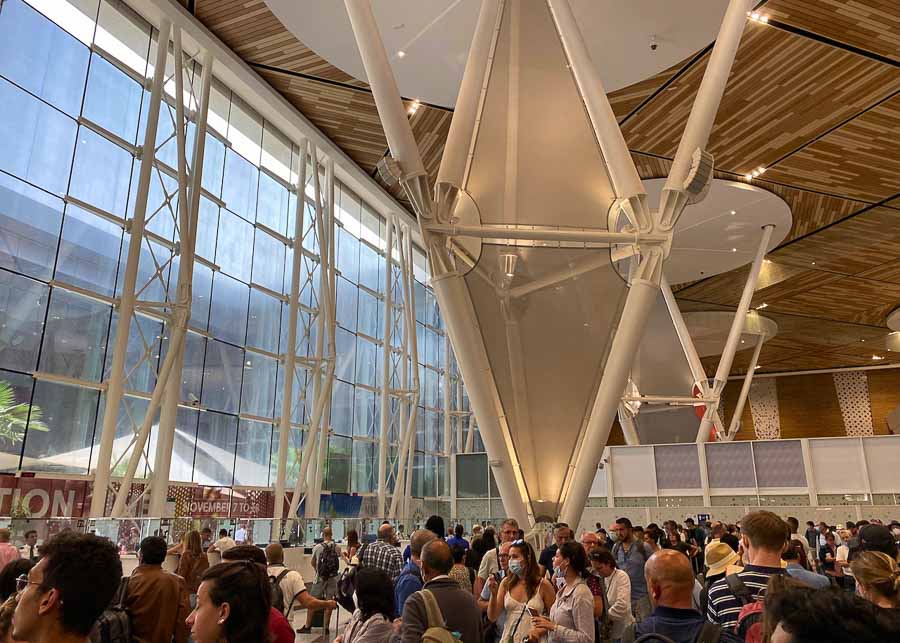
670, 583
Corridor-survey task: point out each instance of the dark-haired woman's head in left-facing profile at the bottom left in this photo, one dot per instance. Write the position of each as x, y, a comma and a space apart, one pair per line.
233, 604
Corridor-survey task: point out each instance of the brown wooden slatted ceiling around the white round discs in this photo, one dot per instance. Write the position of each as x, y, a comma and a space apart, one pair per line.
825, 121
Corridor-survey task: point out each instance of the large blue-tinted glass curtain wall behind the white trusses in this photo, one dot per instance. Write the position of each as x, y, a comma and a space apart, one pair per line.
73, 95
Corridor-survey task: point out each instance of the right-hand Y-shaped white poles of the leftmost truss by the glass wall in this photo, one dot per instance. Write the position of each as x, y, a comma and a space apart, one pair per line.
188, 212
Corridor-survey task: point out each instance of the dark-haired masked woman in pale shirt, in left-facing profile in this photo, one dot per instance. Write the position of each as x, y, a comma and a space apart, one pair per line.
572, 615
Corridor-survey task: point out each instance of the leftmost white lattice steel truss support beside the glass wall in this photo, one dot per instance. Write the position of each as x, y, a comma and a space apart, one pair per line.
175, 311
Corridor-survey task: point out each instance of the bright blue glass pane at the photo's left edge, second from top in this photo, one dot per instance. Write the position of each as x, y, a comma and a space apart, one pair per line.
38, 141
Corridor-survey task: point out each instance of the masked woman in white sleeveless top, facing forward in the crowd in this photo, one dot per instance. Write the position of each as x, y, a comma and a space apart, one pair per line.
522, 594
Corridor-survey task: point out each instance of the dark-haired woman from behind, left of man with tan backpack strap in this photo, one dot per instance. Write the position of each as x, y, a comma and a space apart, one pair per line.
371, 622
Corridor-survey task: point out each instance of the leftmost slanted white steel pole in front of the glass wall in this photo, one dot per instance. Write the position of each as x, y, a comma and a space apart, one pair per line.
116, 383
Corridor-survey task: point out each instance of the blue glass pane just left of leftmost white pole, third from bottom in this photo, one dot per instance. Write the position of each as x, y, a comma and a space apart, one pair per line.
88, 251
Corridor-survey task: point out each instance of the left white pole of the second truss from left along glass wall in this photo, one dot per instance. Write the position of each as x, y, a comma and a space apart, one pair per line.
289, 358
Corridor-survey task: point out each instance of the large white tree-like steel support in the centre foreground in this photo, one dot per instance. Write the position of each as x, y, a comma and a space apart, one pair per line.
650, 234
